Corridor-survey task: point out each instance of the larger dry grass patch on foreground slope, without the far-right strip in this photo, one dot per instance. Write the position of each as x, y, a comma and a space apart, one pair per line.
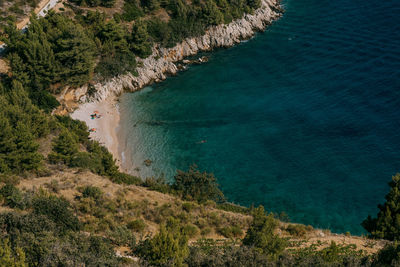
133, 202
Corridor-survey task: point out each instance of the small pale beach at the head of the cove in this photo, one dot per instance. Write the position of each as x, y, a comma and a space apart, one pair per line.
106, 127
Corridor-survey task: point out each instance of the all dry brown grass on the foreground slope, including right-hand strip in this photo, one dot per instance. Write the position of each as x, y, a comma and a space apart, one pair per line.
135, 202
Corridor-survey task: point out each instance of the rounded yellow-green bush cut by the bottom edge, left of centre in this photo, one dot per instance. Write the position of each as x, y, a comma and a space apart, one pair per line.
168, 247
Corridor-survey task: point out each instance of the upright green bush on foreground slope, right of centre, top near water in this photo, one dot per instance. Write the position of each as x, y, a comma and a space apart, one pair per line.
261, 236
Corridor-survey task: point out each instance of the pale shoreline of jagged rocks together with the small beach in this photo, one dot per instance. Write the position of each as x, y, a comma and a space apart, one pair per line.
155, 68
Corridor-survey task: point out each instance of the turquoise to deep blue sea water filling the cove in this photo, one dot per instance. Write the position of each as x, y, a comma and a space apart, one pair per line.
304, 118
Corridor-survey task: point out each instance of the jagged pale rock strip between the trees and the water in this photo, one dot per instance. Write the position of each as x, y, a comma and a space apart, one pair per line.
162, 61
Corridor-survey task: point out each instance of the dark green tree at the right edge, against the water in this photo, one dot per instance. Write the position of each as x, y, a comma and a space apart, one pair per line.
387, 223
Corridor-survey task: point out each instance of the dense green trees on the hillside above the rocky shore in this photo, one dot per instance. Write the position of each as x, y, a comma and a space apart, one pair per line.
75, 47
